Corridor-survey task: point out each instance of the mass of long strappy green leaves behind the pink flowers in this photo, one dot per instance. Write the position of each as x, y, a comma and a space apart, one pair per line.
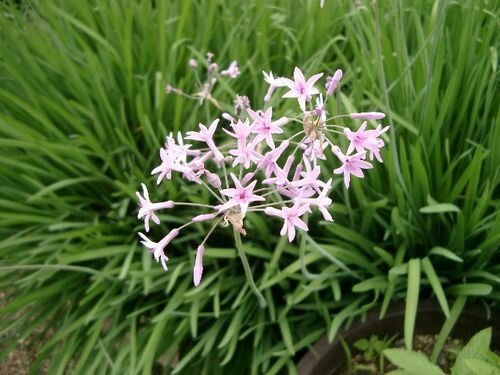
83, 113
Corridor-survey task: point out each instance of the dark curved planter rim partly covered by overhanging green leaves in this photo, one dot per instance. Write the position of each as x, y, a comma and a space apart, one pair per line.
327, 359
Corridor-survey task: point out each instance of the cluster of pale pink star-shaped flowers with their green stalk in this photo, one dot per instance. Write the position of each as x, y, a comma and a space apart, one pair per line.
265, 163
